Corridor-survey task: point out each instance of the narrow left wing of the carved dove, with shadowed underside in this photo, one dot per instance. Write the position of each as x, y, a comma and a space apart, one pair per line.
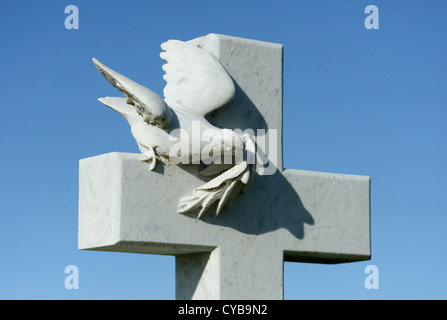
149, 105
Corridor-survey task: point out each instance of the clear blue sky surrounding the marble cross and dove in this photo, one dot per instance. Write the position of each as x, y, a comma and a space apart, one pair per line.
356, 101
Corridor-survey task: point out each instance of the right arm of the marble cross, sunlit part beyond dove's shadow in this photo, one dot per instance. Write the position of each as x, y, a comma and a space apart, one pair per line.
339, 206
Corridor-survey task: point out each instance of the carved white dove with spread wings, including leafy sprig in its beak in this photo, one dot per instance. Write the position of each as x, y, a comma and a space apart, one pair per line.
196, 84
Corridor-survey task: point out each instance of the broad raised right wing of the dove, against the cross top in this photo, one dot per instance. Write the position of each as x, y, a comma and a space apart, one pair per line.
195, 78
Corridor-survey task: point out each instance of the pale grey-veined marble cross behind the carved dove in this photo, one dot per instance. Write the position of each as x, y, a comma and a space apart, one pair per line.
290, 215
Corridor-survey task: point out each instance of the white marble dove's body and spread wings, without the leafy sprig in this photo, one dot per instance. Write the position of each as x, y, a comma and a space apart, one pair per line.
166, 128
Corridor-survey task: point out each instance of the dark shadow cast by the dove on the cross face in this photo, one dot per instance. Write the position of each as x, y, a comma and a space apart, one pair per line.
270, 202
